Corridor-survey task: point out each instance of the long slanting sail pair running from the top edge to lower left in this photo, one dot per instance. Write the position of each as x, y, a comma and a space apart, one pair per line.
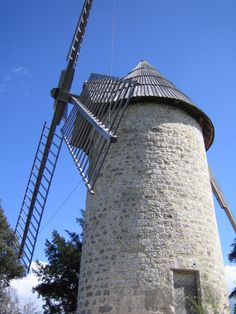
30, 216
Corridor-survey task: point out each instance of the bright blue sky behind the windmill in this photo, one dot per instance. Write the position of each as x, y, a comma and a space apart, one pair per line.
192, 43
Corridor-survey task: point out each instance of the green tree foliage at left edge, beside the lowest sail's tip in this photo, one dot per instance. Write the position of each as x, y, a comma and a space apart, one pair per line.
10, 266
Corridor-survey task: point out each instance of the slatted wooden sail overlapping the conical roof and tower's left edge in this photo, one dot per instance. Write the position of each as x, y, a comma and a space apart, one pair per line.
92, 124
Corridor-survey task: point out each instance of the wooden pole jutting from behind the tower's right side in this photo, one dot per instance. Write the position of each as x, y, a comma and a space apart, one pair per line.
221, 200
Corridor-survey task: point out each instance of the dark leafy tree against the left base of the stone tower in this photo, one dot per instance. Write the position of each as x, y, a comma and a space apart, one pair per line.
59, 278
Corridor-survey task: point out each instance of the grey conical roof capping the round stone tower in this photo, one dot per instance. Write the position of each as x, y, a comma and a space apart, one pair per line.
151, 85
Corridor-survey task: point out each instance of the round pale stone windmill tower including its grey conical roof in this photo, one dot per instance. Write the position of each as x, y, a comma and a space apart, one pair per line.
151, 243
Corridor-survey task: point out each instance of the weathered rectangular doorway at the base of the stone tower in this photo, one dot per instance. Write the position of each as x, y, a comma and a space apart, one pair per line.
185, 290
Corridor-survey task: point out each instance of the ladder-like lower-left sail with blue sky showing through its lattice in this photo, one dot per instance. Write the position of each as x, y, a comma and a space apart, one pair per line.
38, 186
